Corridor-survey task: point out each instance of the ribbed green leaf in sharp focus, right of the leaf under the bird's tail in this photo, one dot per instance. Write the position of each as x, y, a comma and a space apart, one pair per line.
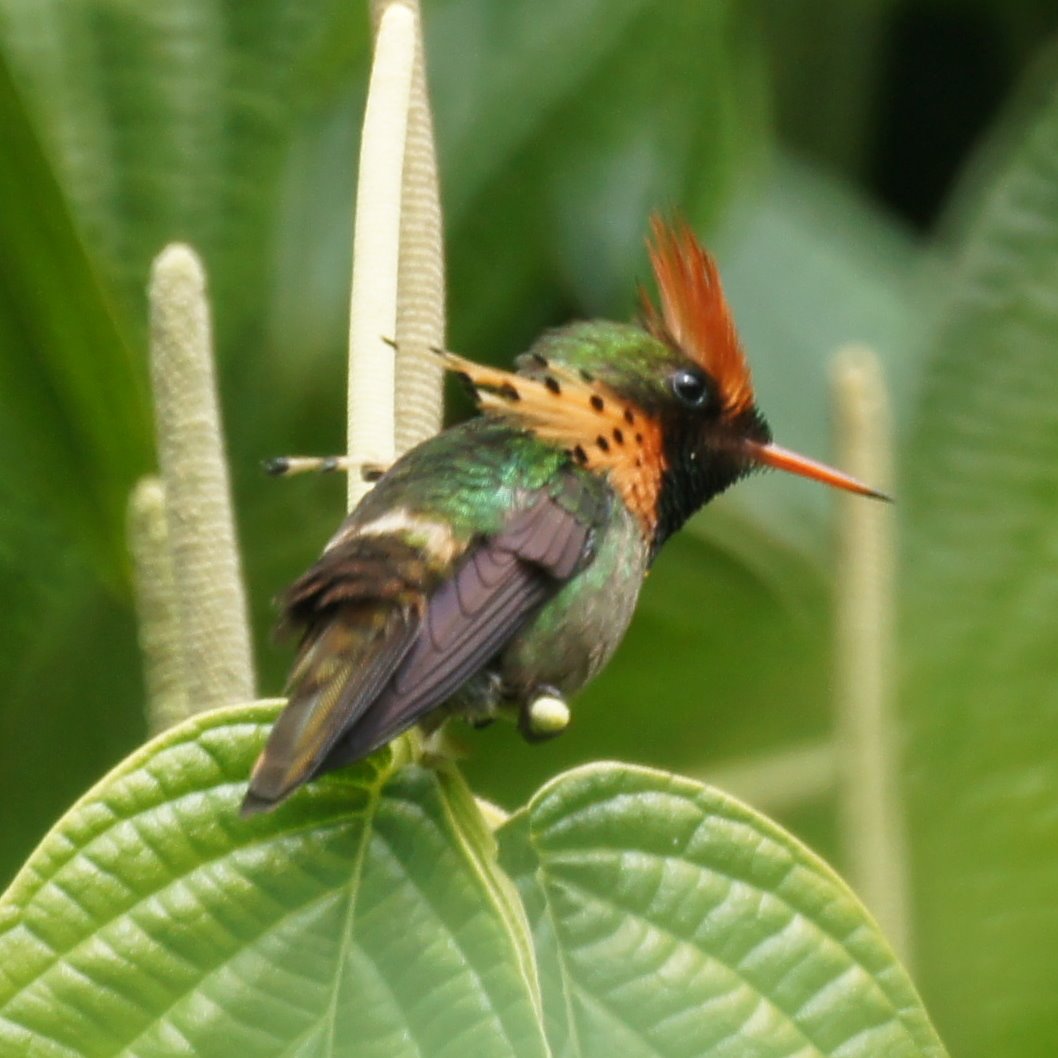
669, 920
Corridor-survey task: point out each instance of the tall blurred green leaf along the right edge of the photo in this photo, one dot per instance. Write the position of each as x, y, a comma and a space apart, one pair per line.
982, 641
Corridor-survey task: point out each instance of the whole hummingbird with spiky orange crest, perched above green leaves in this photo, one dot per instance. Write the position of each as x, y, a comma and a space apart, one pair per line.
495, 569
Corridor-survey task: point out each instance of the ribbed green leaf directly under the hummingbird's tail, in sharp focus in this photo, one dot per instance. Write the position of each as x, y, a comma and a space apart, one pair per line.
367, 917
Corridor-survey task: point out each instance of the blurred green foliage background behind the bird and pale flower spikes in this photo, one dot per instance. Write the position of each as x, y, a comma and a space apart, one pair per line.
871, 171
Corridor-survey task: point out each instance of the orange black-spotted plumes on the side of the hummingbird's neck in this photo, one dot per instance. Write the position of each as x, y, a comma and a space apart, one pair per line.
601, 431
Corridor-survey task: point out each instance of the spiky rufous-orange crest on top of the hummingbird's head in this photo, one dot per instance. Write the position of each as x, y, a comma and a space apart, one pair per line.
695, 314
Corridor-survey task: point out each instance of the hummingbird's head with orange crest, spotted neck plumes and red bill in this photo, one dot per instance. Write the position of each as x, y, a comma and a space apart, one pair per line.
666, 407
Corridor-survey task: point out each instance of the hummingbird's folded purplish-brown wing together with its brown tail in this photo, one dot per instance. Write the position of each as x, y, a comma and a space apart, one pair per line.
374, 663
